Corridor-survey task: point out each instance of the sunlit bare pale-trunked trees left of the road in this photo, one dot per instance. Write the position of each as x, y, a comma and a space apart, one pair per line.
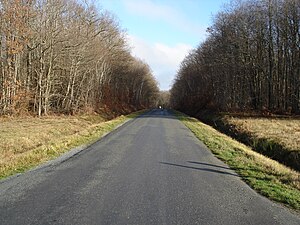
64, 56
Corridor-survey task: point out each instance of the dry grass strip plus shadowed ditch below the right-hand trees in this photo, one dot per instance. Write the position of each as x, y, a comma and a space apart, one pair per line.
275, 137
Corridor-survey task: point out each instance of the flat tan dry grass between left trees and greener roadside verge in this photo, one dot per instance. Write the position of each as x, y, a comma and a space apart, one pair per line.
21, 135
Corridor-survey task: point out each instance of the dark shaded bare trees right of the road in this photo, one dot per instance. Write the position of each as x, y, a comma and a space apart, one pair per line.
250, 61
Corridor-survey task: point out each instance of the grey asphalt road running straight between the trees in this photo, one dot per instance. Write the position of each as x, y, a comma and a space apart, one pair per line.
152, 170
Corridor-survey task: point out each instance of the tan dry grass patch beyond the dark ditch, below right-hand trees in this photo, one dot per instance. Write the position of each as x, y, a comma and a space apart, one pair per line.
283, 131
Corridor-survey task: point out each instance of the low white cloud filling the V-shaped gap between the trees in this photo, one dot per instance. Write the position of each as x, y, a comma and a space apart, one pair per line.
164, 60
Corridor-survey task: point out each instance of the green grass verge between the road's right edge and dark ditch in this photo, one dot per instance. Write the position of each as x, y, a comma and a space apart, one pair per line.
265, 175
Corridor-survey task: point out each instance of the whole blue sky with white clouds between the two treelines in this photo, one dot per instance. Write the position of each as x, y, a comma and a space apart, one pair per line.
163, 32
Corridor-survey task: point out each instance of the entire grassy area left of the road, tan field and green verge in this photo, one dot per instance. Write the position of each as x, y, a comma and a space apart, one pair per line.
28, 142
